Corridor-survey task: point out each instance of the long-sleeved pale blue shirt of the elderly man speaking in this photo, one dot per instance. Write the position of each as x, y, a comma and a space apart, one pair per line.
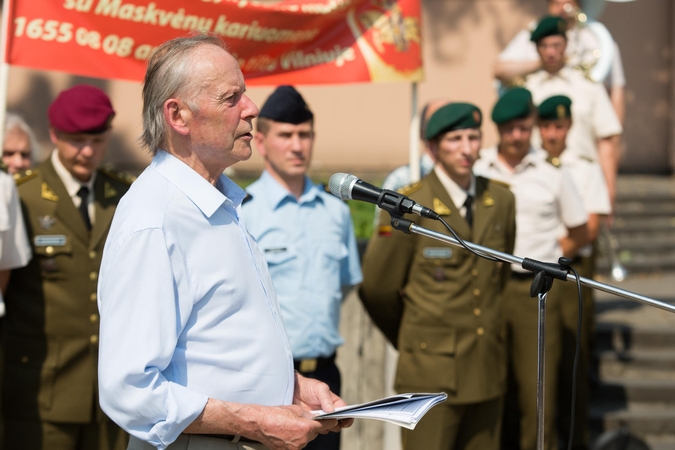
187, 306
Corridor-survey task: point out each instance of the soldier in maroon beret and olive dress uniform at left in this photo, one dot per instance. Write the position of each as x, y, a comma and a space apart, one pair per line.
50, 384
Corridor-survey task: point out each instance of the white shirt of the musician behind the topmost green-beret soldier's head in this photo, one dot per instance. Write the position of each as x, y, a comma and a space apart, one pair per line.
581, 43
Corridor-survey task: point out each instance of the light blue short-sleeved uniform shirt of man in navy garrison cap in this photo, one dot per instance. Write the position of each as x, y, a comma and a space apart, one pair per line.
311, 252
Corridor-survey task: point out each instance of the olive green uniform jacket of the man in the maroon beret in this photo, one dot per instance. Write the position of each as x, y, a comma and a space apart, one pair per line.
51, 326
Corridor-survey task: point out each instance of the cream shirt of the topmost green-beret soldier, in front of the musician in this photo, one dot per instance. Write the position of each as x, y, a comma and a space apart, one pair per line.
593, 116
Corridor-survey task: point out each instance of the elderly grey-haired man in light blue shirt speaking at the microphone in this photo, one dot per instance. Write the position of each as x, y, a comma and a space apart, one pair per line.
193, 352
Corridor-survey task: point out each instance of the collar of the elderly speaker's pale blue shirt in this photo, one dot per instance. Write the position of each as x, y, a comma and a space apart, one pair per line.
204, 195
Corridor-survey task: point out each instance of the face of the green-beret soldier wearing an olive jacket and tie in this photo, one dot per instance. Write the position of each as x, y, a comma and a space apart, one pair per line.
457, 151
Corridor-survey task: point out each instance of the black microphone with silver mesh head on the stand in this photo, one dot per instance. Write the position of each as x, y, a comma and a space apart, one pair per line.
348, 187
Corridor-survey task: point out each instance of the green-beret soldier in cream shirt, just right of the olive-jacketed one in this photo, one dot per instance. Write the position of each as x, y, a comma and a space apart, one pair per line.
551, 223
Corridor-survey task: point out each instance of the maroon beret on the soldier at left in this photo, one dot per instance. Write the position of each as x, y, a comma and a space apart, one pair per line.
81, 109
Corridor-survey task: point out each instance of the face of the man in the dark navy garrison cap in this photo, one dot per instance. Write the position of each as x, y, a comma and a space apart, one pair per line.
286, 148
